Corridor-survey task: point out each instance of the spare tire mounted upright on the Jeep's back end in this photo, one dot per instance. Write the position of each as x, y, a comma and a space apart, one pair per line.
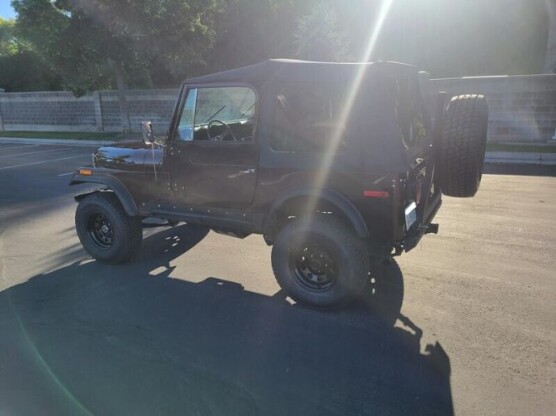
462, 145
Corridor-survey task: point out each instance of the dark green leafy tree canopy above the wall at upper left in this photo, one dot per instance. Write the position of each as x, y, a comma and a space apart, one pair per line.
96, 44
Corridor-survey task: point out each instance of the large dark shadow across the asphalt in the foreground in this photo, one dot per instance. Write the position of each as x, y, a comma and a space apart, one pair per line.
94, 339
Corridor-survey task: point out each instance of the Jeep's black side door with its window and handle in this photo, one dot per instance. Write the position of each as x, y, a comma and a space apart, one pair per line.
213, 155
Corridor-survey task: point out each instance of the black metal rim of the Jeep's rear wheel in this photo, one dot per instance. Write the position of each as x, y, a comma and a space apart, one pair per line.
314, 267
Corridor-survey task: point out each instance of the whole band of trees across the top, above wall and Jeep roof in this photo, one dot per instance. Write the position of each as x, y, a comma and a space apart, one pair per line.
93, 44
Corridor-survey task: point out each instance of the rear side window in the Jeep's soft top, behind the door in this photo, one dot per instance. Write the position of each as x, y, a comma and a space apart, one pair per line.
307, 119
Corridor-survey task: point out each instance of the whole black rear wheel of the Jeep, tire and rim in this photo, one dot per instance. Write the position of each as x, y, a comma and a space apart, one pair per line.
320, 262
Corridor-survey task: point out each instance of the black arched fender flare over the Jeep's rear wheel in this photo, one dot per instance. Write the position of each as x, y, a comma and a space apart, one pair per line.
343, 204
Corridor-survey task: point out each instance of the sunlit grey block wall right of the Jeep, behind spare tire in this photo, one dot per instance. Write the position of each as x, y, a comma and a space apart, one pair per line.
522, 108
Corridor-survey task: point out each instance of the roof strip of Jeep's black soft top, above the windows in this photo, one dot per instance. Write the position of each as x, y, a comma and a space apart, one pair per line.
292, 70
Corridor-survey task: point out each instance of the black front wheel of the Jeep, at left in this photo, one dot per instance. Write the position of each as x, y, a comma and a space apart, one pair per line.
105, 230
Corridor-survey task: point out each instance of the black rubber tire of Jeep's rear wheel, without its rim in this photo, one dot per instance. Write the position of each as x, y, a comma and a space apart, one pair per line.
349, 252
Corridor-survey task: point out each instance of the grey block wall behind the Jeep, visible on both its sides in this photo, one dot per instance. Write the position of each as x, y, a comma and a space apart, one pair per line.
522, 108
